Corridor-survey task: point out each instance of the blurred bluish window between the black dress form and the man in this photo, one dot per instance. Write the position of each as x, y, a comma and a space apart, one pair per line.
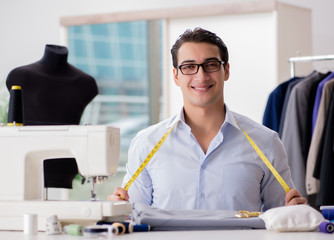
118, 57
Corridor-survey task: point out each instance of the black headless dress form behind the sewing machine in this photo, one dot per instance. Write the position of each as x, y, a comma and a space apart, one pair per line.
54, 91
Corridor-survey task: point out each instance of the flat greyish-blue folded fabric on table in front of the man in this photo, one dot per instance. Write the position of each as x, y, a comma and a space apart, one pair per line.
164, 220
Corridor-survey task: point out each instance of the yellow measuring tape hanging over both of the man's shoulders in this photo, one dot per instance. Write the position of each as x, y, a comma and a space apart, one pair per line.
157, 146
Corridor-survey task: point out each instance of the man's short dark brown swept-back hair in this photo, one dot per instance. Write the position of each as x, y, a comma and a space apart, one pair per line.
199, 35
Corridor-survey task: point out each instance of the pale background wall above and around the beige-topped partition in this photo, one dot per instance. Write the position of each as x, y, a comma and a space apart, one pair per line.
26, 26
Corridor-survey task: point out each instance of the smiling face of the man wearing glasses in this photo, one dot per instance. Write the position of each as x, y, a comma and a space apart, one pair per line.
201, 89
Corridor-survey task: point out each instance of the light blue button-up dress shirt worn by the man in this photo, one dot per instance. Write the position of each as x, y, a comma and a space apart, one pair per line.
230, 176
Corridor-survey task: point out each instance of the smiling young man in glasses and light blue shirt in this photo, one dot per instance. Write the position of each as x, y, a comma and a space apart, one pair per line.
206, 162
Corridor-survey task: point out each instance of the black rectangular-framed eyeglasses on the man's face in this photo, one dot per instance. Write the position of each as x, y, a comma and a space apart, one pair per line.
192, 68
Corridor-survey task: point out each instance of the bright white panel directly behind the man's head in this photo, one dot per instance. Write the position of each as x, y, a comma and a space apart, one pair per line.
252, 51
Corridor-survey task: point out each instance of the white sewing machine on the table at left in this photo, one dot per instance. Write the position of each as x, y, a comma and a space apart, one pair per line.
23, 150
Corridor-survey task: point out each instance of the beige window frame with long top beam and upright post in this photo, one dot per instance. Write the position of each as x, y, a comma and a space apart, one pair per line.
164, 15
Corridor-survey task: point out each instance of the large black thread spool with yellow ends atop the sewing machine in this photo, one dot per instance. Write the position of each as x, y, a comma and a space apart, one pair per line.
15, 109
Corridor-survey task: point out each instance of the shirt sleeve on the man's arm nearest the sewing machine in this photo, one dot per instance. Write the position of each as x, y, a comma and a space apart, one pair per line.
141, 189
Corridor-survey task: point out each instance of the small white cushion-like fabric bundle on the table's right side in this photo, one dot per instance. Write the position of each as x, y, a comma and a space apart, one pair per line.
292, 218
